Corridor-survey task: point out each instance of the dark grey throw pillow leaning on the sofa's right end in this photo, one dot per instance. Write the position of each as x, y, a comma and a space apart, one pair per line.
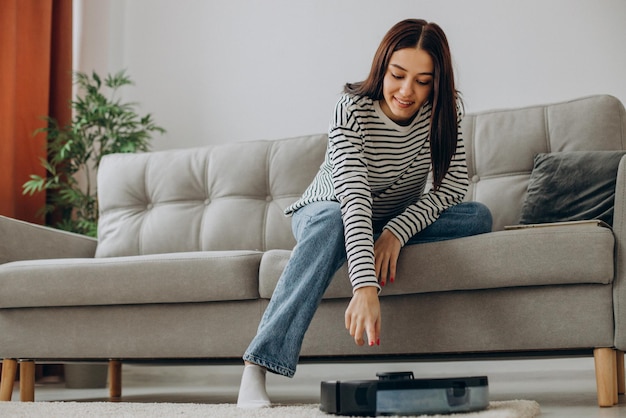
571, 186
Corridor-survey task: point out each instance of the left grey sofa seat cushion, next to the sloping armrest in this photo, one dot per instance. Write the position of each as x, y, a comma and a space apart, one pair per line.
160, 278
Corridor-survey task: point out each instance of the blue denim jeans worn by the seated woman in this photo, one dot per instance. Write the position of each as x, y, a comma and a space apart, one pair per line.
320, 251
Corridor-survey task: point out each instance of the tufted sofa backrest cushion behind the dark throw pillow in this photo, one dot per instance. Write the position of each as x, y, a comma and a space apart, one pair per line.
502, 144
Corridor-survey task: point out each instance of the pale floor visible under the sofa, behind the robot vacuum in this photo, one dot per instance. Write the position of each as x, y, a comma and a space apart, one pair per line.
563, 387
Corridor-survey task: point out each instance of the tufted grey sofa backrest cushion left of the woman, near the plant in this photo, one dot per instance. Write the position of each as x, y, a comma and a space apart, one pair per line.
222, 197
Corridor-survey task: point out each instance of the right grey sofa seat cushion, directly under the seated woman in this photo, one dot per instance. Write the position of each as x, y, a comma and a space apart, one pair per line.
555, 255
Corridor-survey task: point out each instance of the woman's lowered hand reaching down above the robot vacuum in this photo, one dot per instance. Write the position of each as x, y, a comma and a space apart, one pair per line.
363, 316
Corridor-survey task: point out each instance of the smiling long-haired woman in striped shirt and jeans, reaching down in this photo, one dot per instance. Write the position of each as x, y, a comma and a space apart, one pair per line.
371, 197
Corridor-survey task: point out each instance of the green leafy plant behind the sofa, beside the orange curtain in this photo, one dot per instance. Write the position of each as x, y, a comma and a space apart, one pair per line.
101, 124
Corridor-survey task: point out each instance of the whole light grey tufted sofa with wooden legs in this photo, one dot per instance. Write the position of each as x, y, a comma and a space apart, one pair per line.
191, 243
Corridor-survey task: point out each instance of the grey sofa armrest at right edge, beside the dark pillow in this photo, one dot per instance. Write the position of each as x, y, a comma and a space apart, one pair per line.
619, 283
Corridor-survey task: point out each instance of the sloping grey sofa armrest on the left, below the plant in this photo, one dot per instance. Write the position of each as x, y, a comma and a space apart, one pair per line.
21, 240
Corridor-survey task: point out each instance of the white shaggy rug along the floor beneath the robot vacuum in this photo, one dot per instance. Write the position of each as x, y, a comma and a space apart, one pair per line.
502, 409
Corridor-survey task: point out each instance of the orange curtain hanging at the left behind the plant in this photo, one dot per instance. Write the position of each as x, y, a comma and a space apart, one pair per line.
35, 81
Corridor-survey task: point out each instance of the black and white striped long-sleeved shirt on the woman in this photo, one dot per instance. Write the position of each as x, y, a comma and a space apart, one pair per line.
378, 171
